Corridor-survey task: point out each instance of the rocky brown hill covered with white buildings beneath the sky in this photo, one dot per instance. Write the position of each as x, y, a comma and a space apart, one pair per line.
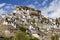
28, 20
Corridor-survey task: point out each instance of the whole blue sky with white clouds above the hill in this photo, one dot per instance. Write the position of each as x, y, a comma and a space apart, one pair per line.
49, 8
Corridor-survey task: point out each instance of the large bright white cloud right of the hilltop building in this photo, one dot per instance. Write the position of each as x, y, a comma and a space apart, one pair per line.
55, 7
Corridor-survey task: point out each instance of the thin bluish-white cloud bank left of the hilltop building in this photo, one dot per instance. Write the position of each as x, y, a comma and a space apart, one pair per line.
9, 7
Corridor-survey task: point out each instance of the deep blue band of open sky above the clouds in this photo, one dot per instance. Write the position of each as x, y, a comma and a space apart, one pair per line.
27, 2
